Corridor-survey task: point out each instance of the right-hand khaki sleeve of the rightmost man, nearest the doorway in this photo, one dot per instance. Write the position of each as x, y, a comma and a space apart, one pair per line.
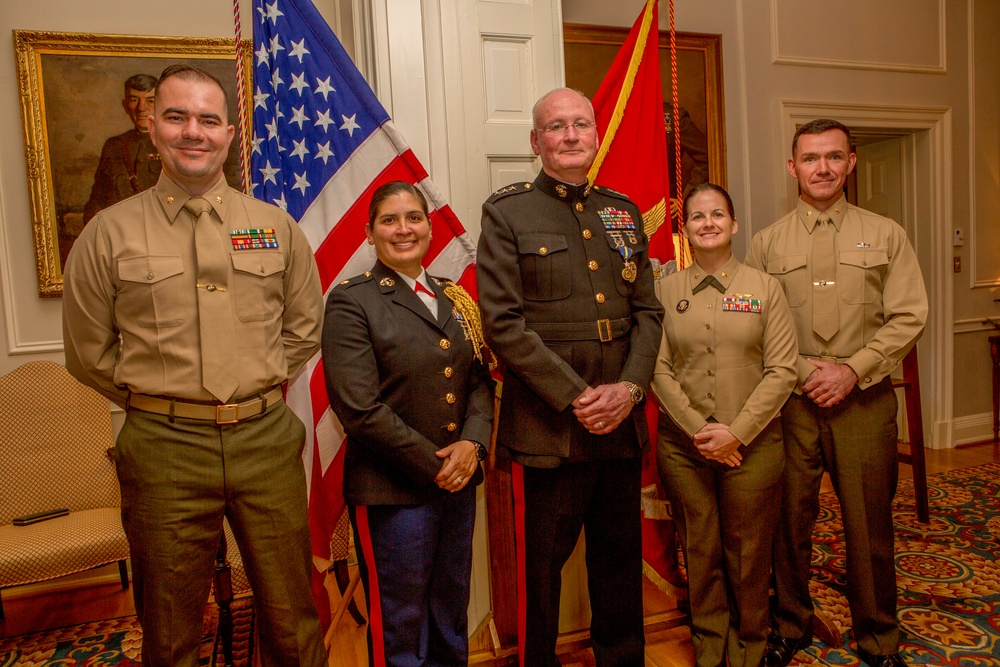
904, 307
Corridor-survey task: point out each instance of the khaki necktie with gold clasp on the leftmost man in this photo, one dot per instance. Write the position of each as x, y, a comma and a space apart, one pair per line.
215, 314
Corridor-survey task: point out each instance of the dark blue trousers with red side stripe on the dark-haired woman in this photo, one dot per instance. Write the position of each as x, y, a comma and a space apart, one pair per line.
416, 565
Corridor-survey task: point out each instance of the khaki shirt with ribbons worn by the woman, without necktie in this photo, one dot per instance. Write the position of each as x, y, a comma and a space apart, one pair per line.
727, 356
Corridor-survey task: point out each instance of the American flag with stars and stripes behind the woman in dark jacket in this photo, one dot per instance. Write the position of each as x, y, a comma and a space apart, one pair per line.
322, 143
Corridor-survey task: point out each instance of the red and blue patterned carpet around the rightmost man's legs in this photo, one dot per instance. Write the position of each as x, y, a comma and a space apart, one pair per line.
948, 574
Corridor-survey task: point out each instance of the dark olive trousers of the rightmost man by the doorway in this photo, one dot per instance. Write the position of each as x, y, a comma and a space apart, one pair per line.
855, 441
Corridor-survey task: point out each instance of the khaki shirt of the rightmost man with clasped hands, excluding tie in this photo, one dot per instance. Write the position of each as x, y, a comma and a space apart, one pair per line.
883, 303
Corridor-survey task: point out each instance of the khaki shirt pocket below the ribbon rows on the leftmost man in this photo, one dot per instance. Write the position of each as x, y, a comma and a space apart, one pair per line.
258, 284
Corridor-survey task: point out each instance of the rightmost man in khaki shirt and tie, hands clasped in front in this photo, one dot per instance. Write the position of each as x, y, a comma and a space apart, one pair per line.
858, 300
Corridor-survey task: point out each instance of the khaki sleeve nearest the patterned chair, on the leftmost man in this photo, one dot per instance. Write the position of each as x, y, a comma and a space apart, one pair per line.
90, 335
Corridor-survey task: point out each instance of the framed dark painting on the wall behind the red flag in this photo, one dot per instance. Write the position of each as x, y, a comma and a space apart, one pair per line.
590, 50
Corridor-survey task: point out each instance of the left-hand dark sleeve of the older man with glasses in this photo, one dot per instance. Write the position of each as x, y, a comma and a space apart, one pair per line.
501, 303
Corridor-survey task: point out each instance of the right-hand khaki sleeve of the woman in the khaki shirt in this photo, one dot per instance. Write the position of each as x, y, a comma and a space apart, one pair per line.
780, 356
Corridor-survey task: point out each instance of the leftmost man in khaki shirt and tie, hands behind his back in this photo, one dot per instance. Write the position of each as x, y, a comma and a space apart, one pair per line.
191, 304
